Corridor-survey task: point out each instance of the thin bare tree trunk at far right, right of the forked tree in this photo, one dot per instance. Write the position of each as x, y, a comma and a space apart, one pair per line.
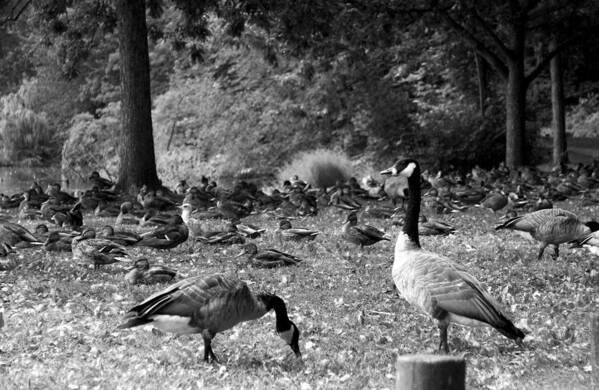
560, 151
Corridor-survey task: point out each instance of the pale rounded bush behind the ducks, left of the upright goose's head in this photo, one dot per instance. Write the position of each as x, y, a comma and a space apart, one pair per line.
320, 168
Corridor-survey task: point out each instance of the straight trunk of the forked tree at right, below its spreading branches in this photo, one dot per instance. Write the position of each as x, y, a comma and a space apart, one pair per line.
515, 100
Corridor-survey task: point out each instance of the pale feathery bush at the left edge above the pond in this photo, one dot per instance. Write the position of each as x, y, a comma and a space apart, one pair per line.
25, 136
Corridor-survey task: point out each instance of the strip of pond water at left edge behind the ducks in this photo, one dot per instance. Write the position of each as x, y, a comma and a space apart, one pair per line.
18, 179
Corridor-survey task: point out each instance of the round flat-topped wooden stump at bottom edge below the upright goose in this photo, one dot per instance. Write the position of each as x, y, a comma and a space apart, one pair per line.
430, 372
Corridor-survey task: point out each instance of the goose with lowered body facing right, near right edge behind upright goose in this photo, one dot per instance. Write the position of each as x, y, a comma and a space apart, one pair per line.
551, 226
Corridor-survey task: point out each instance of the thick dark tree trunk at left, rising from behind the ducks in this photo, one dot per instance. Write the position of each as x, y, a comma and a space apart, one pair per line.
138, 164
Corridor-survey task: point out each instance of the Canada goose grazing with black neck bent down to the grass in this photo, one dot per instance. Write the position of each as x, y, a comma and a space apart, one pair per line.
209, 305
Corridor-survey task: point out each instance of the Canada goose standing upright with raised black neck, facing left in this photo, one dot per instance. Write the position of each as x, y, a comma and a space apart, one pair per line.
434, 283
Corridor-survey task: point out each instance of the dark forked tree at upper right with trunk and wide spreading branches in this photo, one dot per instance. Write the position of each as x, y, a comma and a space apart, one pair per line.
500, 32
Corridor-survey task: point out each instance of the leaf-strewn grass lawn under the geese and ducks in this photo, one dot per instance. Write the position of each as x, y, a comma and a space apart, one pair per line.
60, 318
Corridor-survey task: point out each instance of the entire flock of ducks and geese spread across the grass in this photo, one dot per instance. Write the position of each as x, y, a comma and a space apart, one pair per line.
164, 219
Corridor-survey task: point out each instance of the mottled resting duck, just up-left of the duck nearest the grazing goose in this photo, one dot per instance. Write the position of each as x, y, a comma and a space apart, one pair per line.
97, 251
